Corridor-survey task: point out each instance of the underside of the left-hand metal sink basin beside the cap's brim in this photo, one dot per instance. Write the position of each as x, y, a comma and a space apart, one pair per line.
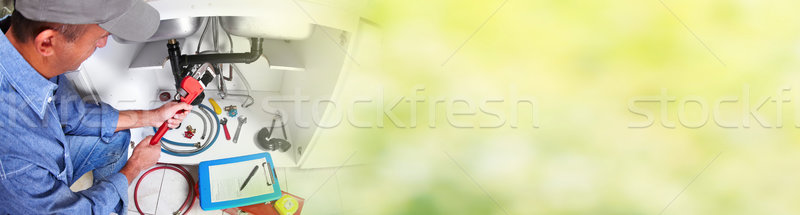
174, 28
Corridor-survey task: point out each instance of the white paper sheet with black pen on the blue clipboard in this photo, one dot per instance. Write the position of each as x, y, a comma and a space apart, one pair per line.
226, 179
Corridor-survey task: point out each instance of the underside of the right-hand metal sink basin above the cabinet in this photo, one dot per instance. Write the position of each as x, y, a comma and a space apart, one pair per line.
267, 27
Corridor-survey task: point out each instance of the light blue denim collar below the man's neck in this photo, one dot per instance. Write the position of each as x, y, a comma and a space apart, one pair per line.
36, 90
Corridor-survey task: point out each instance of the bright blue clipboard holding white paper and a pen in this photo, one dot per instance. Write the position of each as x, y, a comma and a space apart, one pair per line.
220, 182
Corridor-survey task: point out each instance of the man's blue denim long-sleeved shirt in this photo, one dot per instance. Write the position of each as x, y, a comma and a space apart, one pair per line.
35, 166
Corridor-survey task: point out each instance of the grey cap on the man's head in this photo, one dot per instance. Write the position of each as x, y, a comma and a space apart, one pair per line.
132, 20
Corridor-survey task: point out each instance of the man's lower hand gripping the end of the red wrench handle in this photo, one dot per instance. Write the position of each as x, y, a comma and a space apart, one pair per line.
144, 156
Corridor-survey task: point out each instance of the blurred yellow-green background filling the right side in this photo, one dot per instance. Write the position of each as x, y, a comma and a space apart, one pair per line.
583, 62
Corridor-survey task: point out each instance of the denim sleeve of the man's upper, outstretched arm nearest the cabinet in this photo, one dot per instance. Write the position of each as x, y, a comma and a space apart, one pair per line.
82, 118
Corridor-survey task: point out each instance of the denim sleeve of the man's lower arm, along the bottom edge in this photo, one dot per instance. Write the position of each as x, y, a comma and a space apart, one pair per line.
36, 191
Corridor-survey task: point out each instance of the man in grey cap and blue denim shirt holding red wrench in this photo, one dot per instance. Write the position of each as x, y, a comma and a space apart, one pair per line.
49, 137
